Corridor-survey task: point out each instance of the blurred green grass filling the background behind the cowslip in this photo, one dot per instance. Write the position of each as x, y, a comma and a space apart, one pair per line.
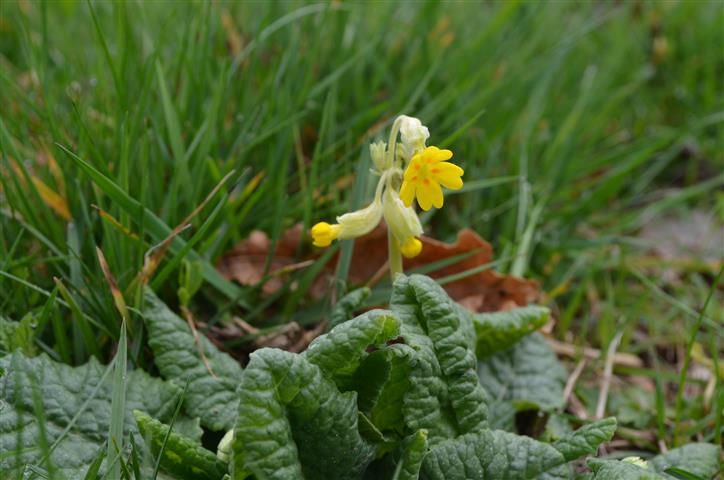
590, 133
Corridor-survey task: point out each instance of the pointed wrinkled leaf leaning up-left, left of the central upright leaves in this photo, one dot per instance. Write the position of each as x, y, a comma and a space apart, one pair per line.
211, 397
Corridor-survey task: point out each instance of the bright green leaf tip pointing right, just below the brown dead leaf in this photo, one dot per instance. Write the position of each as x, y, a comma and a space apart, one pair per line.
500, 330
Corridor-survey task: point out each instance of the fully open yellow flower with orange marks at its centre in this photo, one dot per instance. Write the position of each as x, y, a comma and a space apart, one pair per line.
424, 175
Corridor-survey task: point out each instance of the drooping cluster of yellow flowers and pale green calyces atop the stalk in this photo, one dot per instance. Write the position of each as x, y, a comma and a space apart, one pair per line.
427, 169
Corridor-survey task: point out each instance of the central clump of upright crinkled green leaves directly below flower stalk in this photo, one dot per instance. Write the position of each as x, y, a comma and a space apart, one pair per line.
298, 414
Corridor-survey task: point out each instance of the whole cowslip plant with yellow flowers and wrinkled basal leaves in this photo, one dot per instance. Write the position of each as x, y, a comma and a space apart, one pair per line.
422, 389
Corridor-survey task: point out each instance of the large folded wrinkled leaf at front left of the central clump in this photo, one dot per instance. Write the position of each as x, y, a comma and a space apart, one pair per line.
294, 423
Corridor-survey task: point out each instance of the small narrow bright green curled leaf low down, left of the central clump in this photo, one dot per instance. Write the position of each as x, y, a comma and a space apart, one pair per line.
181, 456
